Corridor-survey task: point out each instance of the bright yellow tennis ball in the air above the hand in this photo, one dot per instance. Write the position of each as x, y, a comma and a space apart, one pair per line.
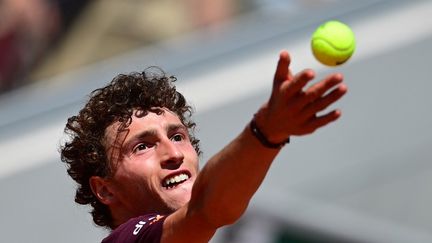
333, 43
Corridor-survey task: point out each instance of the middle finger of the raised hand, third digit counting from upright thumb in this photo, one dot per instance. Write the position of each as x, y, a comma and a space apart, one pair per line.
317, 90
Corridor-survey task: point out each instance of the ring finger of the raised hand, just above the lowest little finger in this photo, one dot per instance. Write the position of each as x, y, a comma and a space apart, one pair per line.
324, 102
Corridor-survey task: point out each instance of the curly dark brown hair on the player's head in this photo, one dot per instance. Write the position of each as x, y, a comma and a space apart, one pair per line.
85, 154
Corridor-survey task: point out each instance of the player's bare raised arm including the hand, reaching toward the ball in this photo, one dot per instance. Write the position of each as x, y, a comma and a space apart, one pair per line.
229, 179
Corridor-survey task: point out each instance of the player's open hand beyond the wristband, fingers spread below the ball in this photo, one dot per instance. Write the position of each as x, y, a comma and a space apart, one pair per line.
293, 107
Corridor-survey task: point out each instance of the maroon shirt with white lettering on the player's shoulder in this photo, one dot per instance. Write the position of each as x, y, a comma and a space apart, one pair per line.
146, 228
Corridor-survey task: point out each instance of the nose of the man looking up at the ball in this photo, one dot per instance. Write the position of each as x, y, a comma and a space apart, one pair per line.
171, 155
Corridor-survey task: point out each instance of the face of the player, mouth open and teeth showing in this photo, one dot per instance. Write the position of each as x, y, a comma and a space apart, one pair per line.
156, 164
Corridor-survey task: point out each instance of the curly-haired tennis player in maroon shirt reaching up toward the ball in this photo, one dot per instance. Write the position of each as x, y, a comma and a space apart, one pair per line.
133, 153
